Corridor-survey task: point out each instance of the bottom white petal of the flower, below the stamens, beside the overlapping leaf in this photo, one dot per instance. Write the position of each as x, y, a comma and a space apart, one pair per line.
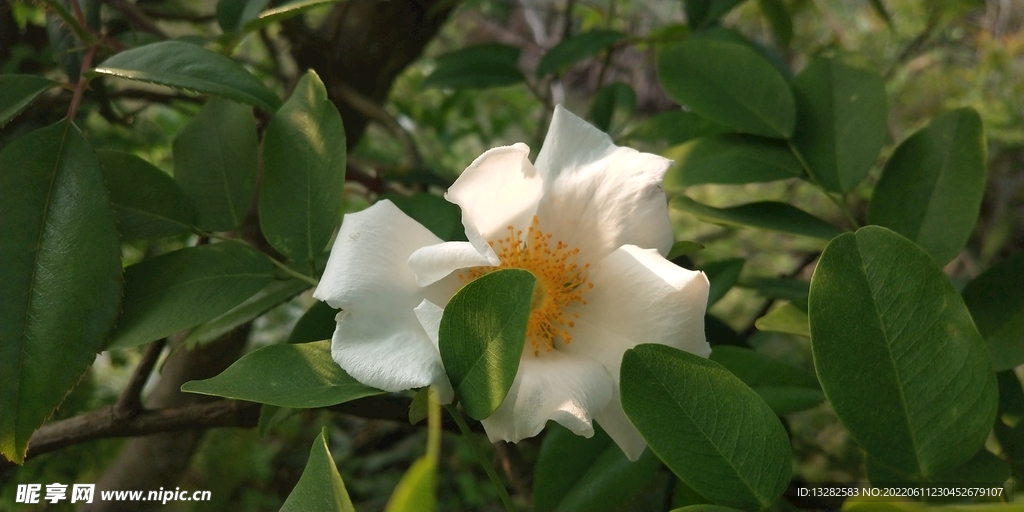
553, 387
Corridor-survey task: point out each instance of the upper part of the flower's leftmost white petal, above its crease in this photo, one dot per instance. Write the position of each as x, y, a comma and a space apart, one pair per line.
368, 268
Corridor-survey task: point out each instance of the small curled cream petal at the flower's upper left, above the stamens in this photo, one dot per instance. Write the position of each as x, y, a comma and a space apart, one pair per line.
500, 189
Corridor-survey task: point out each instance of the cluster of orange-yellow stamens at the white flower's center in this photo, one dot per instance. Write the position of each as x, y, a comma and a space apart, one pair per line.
561, 282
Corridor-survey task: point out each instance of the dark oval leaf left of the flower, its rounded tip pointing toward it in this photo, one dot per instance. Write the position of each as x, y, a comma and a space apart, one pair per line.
183, 289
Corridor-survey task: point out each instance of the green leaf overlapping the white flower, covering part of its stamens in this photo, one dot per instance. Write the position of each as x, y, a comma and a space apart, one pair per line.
482, 336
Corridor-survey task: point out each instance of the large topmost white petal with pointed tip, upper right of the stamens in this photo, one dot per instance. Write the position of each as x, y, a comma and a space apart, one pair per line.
599, 197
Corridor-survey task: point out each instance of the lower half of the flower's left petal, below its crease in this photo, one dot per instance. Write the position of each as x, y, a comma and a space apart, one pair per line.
387, 350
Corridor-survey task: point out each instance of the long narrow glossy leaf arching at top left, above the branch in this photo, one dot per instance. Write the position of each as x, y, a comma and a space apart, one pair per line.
190, 67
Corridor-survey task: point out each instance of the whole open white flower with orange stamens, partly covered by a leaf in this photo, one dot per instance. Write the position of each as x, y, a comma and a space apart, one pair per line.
589, 214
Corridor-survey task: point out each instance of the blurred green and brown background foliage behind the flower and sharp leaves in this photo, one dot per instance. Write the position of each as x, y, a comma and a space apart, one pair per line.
935, 56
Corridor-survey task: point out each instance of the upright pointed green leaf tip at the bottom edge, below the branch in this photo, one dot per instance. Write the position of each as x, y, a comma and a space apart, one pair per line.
321, 487
